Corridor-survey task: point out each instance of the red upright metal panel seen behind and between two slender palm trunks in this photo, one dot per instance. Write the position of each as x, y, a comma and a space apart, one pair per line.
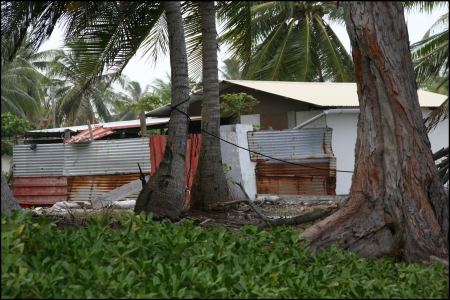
157, 148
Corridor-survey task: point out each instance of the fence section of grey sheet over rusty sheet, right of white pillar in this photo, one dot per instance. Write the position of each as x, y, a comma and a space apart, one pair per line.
310, 167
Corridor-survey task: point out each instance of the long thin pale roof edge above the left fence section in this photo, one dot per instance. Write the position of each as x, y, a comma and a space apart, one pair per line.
113, 125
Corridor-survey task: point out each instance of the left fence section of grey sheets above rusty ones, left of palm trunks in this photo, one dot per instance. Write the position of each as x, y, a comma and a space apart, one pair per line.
77, 172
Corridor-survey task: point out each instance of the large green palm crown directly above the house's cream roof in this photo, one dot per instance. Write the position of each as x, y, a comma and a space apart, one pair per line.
285, 40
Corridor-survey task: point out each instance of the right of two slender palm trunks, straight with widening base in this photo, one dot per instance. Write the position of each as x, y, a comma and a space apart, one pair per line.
210, 186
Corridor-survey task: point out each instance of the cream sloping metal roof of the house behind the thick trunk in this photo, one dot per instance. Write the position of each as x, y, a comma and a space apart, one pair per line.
326, 93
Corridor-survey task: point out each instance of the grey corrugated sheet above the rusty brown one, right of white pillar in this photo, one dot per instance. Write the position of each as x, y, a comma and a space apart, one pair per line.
291, 145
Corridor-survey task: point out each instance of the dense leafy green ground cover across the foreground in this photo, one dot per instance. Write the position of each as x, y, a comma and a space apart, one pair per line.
148, 259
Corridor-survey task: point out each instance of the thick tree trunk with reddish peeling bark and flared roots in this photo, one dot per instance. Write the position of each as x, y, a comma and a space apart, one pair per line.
397, 203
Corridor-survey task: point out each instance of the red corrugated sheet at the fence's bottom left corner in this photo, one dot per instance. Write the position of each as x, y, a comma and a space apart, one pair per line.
40, 190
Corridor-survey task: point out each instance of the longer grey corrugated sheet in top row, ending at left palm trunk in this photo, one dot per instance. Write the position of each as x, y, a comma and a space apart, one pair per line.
107, 157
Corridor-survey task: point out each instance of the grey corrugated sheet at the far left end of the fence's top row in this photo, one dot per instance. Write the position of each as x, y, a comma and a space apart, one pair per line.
45, 160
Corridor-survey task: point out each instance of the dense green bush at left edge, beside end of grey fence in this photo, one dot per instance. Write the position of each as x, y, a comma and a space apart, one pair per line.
12, 126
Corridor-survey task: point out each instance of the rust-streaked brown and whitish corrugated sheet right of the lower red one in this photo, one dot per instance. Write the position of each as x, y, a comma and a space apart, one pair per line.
87, 188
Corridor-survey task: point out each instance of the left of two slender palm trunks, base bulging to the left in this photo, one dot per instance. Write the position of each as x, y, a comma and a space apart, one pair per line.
164, 193
